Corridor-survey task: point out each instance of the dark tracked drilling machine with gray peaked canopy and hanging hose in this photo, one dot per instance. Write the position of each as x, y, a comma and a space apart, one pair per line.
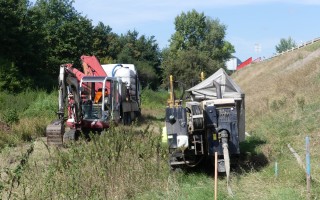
213, 121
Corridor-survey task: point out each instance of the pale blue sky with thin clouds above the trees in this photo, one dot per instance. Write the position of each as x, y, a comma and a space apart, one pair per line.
254, 27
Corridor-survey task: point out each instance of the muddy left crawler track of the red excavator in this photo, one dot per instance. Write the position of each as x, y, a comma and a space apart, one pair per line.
54, 132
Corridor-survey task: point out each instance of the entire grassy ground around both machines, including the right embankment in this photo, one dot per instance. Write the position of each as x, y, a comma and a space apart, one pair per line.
282, 107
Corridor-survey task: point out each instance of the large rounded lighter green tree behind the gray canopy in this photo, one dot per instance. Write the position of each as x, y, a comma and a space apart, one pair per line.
197, 45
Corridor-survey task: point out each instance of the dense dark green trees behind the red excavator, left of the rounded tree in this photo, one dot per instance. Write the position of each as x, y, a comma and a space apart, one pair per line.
26, 32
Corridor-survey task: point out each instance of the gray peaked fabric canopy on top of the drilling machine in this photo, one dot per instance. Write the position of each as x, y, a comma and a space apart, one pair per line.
206, 90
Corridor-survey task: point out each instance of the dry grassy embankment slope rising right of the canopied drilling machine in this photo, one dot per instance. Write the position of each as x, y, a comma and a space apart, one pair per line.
282, 107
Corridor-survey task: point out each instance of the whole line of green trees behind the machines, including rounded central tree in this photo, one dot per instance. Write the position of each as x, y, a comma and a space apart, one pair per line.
36, 39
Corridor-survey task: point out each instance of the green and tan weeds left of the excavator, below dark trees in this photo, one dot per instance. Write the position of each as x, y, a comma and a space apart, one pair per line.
24, 116
